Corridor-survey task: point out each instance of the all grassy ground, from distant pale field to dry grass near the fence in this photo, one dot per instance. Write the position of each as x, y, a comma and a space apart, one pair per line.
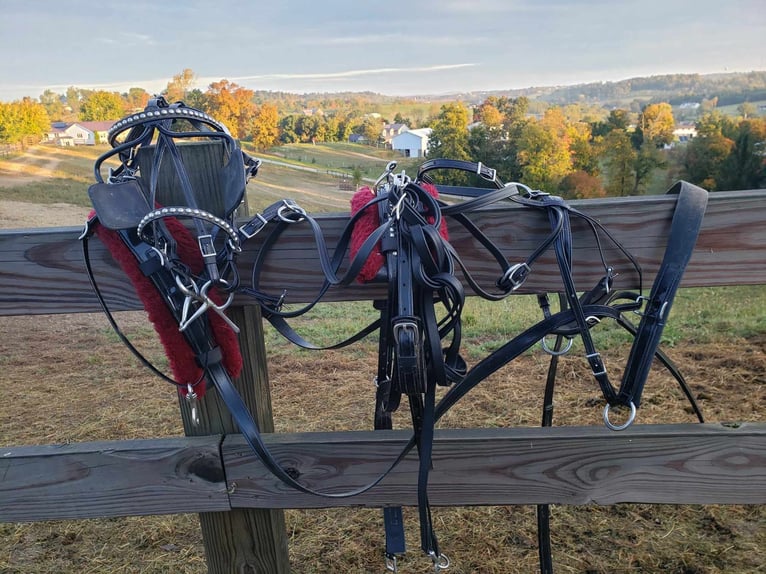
67, 378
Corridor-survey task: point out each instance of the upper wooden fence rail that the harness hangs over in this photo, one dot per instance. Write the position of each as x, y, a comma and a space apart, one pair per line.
41, 271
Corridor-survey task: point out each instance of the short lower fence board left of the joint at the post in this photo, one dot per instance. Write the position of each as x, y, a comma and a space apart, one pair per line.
125, 478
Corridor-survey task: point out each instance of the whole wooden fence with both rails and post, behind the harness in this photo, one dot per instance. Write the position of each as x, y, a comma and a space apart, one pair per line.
212, 471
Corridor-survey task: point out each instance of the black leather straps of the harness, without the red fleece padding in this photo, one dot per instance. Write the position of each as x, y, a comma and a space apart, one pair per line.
420, 320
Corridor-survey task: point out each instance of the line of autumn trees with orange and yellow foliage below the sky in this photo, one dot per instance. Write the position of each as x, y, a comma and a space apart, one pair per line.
572, 150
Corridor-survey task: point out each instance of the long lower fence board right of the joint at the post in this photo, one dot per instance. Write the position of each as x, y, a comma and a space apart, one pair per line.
679, 464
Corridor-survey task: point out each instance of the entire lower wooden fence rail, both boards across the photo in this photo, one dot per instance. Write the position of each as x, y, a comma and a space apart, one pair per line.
678, 464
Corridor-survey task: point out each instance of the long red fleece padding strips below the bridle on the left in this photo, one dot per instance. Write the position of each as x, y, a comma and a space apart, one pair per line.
180, 355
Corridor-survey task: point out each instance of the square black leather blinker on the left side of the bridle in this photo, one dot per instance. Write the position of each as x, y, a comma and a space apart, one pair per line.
119, 205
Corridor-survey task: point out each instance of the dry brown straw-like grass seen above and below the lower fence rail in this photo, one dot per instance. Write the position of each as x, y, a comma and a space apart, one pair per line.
68, 379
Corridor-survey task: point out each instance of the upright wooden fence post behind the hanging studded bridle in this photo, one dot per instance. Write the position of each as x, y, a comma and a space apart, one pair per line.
240, 540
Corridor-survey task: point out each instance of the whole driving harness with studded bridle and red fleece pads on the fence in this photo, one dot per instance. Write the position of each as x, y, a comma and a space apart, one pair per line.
396, 235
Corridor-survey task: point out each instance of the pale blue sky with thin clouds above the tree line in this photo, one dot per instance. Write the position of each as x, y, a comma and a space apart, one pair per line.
396, 47
